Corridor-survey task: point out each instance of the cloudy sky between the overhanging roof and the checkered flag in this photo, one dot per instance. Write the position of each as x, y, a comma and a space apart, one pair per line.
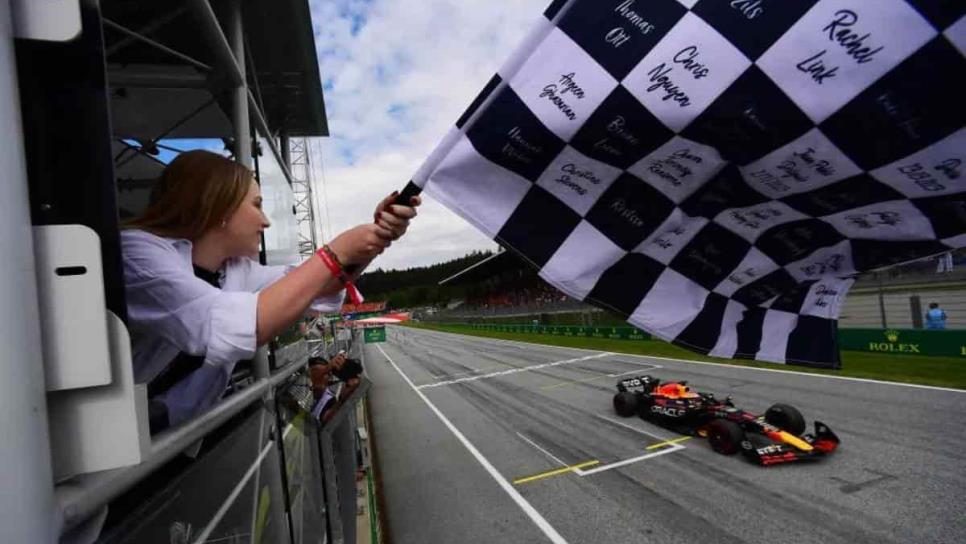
397, 74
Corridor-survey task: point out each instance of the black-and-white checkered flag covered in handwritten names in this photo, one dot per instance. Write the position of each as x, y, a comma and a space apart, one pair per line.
717, 170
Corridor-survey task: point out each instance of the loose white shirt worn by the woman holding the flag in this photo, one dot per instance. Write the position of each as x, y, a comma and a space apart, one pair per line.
170, 310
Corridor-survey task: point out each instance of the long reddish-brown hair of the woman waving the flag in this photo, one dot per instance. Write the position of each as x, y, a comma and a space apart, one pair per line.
197, 191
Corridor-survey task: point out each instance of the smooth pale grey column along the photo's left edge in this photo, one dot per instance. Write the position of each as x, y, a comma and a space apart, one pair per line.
27, 496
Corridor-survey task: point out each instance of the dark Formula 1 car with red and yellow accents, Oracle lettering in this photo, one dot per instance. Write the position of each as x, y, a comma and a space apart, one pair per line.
769, 439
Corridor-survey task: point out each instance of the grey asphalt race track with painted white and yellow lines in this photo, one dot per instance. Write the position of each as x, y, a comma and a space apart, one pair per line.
511, 413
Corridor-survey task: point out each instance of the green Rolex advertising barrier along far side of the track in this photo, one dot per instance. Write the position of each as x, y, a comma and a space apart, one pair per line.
934, 343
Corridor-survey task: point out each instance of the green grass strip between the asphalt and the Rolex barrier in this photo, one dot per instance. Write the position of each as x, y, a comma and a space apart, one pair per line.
915, 369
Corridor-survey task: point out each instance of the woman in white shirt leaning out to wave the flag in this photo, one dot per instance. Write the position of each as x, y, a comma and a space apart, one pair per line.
197, 300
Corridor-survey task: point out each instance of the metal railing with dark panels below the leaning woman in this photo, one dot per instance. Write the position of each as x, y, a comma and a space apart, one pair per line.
255, 468
